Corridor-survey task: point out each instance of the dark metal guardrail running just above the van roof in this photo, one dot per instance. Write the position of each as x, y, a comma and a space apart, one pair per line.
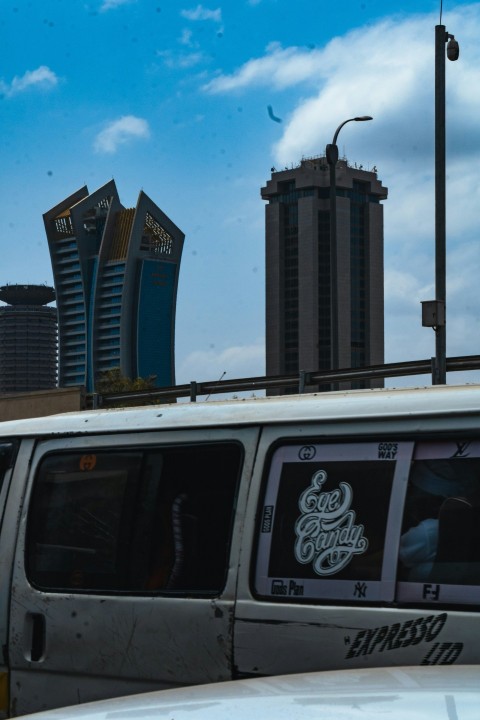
301, 381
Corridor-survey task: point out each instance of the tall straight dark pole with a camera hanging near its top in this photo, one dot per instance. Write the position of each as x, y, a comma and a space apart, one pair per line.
439, 373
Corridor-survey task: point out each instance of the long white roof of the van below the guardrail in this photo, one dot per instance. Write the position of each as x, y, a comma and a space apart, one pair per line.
333, 407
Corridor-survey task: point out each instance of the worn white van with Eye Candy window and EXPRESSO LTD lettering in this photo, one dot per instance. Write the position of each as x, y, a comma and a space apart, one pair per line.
181, 544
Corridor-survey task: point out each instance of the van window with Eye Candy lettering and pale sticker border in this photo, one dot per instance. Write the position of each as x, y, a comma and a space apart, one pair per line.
324, 521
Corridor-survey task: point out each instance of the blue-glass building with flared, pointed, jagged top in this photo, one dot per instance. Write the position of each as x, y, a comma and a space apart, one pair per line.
116, 272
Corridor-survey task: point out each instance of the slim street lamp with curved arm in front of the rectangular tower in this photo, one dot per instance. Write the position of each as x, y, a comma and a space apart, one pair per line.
331, 153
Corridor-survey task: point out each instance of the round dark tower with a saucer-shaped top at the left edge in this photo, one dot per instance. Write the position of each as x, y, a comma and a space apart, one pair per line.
28, 339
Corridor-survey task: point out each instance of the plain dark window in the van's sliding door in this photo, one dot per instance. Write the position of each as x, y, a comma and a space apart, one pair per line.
146, 520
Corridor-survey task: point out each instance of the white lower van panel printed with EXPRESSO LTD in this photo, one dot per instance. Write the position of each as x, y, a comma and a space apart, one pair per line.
343, 638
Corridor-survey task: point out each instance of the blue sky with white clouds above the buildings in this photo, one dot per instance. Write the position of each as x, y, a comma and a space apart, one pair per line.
172, 97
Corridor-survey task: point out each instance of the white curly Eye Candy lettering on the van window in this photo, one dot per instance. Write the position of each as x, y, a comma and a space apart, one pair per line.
326, 532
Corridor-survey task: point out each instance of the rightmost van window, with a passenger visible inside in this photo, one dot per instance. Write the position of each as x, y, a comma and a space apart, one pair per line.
440, 540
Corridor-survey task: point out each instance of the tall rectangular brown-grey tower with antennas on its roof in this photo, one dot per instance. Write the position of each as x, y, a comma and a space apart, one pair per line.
299, 318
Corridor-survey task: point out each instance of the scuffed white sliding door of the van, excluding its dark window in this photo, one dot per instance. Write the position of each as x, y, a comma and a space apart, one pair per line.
133, 642
